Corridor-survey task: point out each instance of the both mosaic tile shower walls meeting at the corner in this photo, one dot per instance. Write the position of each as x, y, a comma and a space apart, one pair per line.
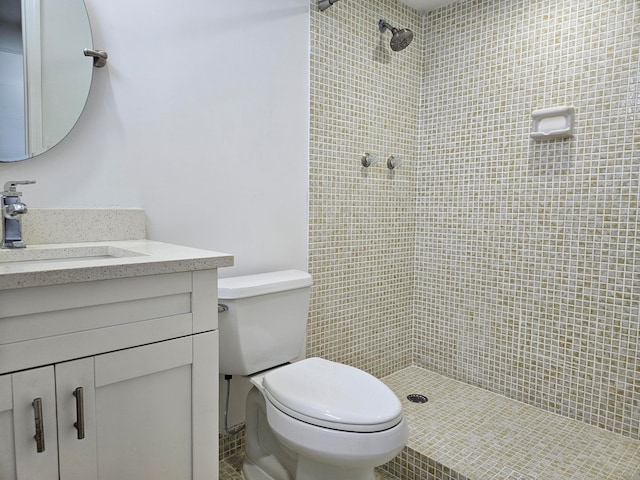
509, 264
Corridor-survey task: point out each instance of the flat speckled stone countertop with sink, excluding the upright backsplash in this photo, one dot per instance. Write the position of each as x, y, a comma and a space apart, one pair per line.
101, 261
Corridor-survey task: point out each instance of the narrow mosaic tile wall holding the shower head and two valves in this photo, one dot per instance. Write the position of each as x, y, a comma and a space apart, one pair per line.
362, 221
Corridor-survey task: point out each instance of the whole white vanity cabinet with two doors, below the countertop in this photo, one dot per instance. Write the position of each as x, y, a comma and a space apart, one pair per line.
117, 378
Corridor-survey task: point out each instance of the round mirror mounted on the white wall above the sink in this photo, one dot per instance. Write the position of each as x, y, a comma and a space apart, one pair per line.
44, 75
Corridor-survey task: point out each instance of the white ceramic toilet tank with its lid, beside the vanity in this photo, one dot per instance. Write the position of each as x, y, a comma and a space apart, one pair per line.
266, 320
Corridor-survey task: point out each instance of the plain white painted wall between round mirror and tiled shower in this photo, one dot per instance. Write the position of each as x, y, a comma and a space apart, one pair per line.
200, 118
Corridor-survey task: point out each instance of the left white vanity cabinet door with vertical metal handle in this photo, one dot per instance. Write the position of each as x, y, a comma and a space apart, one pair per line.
28, 410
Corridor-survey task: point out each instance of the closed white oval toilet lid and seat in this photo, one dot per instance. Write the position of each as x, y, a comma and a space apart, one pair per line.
333, 395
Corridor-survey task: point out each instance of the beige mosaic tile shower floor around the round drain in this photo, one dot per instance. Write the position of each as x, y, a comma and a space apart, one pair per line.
467, 432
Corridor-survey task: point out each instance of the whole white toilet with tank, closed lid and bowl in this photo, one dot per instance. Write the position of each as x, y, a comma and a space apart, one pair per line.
309, 420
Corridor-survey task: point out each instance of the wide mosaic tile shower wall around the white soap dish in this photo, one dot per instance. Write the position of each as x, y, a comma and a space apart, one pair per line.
528, 254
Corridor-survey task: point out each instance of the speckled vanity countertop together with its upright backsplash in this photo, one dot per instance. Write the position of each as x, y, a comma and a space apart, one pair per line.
111, 245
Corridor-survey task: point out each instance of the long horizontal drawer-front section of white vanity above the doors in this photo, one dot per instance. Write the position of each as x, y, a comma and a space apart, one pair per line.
44, 325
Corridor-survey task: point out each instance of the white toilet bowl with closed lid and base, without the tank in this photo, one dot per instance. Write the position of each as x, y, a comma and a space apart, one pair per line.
337, 421
